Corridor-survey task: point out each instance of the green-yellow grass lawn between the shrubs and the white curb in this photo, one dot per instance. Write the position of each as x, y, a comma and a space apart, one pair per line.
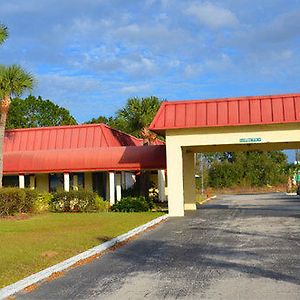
30, 245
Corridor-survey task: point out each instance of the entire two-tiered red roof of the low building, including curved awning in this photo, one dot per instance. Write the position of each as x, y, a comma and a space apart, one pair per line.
77, 148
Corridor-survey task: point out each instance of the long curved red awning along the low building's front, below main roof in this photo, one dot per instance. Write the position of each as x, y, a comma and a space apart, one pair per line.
88, 159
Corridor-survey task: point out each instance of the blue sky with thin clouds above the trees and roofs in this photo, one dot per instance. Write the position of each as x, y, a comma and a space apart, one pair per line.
90, 56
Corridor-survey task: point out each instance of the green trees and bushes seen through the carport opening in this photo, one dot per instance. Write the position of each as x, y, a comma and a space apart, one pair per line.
243, 169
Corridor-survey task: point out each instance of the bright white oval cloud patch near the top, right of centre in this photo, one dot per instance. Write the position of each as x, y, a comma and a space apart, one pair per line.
212, 16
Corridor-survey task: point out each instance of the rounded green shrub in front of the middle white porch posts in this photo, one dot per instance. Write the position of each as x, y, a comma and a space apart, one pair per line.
74, 201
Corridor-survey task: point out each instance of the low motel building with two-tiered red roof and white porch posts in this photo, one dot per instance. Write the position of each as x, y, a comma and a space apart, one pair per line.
92, 157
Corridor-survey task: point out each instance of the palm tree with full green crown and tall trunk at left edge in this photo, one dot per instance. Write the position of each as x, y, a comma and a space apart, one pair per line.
14, 81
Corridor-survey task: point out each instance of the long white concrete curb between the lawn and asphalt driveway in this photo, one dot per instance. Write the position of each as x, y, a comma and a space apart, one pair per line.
37, 277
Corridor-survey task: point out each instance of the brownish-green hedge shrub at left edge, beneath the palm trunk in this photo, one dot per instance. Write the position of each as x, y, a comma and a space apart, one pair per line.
12, 201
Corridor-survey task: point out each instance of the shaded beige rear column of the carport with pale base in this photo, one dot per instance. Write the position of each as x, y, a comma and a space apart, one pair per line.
189, 186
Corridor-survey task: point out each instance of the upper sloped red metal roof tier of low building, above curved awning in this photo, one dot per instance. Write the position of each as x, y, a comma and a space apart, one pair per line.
66, 137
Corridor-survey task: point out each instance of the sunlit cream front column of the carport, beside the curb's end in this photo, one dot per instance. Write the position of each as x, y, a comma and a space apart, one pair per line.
175, 180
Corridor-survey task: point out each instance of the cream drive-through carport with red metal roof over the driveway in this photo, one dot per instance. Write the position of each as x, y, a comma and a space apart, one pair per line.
236, 124
